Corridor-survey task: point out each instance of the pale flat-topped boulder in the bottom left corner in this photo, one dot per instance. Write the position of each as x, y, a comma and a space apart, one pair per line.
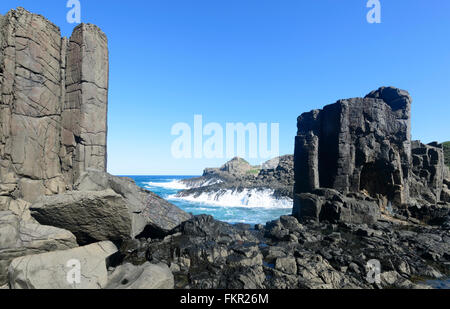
51, 270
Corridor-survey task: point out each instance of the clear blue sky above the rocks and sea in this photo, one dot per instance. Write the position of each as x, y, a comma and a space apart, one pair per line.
255, 61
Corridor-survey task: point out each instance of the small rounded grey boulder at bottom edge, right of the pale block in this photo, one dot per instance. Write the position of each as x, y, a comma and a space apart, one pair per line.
144, 277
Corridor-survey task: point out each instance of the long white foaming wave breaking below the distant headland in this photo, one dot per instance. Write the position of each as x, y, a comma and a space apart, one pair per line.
245, 198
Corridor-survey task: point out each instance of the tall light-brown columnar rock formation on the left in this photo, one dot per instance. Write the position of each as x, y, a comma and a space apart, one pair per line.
53, 105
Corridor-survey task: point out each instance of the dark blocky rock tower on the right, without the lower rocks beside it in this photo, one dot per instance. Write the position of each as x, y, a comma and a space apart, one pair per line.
357, 144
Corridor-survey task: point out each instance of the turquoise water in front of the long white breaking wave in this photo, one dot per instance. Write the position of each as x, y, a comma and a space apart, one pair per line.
167, 187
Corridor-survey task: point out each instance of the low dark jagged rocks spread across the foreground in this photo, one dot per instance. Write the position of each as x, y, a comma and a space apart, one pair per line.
286, 254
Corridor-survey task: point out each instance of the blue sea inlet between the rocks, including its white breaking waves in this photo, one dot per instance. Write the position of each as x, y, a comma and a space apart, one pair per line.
249, 207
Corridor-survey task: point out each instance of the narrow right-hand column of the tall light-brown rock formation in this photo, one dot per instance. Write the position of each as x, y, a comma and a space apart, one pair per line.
84, 115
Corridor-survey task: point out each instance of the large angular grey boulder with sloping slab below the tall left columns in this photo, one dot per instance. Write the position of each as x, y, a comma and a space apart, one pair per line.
106, 207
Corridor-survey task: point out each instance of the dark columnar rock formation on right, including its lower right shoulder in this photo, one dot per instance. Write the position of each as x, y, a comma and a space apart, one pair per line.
363, 146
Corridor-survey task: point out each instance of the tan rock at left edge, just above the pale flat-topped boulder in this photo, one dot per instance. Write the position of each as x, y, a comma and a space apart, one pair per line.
19, 237
